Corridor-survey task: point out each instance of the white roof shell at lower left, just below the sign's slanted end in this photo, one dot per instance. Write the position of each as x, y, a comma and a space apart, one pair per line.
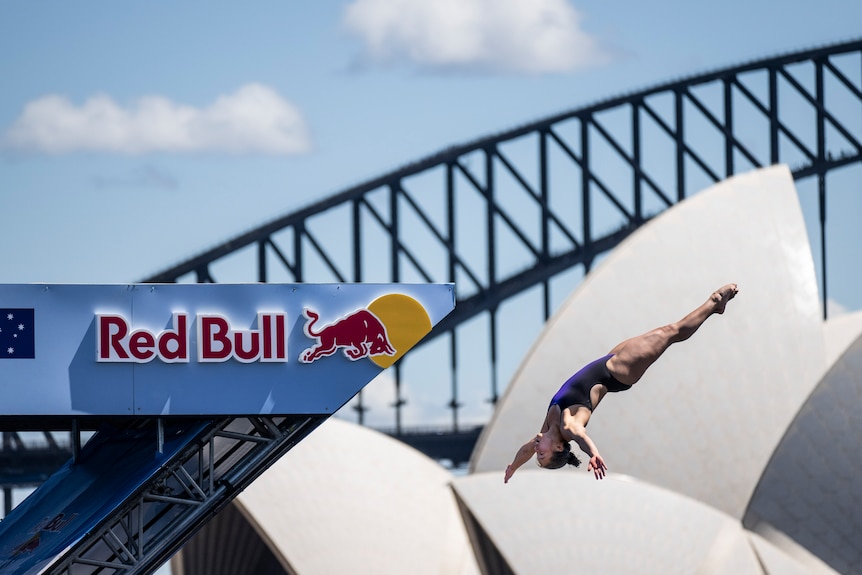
351, 500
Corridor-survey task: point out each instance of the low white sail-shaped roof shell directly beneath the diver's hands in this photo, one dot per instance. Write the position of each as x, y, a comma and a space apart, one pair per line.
567, 522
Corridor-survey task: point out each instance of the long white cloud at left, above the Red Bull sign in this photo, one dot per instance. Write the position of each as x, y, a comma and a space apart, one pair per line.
253, 119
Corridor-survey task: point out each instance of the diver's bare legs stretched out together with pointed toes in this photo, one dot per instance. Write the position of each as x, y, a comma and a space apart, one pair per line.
633, 356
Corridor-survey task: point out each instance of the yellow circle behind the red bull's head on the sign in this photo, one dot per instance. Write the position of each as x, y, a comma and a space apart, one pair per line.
406, 322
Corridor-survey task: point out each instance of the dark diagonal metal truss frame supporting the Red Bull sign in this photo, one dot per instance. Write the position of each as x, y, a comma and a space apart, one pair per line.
152, 525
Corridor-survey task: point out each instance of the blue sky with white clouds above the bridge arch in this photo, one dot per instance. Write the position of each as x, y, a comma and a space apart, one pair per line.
133, 136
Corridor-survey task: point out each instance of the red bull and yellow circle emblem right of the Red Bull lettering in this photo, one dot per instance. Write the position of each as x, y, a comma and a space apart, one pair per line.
382, 332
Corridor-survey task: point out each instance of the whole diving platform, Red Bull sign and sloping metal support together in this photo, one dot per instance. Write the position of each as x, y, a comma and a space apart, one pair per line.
193, 391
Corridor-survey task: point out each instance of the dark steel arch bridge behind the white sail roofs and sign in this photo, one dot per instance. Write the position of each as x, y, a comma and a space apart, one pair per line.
516, 219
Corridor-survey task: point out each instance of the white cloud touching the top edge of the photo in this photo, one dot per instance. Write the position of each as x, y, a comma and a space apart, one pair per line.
524, 36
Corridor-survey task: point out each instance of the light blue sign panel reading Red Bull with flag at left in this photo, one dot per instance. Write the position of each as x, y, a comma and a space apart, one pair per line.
202, 349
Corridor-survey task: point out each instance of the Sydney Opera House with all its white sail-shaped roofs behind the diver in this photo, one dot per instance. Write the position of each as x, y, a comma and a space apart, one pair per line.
739, 452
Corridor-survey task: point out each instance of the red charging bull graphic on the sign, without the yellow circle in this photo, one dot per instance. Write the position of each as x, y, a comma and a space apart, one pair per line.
358, 334
